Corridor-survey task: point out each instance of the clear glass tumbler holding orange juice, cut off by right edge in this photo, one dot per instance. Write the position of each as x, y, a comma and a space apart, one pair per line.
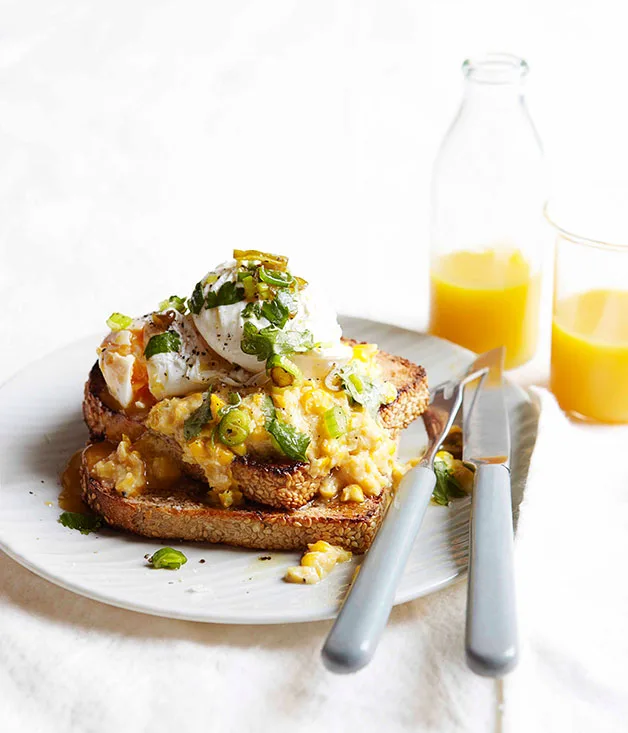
589, 364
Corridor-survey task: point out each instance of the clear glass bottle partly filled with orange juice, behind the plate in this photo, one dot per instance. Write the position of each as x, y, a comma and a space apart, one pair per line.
488, 192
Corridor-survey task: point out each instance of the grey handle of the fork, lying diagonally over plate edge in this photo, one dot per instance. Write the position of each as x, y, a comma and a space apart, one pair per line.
356, 632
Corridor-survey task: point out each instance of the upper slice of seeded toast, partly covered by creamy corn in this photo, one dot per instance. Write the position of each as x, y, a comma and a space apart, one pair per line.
281, 483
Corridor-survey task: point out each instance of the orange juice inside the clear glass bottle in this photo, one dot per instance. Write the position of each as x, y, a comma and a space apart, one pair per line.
481, 299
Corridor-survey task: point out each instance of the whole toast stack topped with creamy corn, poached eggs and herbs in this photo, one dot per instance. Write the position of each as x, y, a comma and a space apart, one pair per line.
241, 415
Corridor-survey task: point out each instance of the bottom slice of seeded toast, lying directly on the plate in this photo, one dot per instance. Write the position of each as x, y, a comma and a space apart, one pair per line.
186, 514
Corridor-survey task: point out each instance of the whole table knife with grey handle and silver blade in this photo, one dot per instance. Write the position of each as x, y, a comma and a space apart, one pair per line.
491, 631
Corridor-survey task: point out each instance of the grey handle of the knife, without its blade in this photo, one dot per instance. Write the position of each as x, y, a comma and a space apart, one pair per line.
491, 636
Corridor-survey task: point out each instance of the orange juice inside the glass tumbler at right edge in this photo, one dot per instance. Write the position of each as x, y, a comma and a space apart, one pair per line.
589, 374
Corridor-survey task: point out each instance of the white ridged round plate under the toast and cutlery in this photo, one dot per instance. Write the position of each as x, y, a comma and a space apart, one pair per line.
41, 426
